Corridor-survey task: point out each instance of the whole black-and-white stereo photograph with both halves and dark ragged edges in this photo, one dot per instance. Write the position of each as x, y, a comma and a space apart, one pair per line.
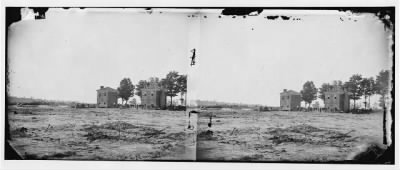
217, 84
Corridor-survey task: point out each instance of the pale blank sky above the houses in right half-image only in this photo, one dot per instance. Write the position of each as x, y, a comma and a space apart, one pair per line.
251, 60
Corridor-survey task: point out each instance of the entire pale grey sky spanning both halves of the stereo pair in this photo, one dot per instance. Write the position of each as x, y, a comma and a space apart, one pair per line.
68, 55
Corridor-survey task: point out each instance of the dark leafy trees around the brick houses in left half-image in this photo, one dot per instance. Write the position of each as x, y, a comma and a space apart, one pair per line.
173, 83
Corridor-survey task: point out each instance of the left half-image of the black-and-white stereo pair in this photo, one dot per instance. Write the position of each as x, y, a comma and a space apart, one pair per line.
99, 84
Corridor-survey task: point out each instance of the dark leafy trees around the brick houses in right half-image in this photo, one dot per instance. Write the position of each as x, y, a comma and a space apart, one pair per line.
357, 86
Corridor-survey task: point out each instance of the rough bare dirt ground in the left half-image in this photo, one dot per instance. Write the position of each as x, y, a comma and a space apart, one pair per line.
46, 132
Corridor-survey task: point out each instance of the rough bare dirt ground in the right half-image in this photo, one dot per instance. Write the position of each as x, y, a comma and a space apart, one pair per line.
237, 135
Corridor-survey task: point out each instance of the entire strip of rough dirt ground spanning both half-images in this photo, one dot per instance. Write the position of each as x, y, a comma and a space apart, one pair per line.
46, 132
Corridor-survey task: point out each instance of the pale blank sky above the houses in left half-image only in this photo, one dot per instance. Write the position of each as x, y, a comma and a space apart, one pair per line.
71, 53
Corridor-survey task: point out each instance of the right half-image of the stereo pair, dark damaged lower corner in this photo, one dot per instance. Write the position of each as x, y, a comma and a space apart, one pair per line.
293, 86
